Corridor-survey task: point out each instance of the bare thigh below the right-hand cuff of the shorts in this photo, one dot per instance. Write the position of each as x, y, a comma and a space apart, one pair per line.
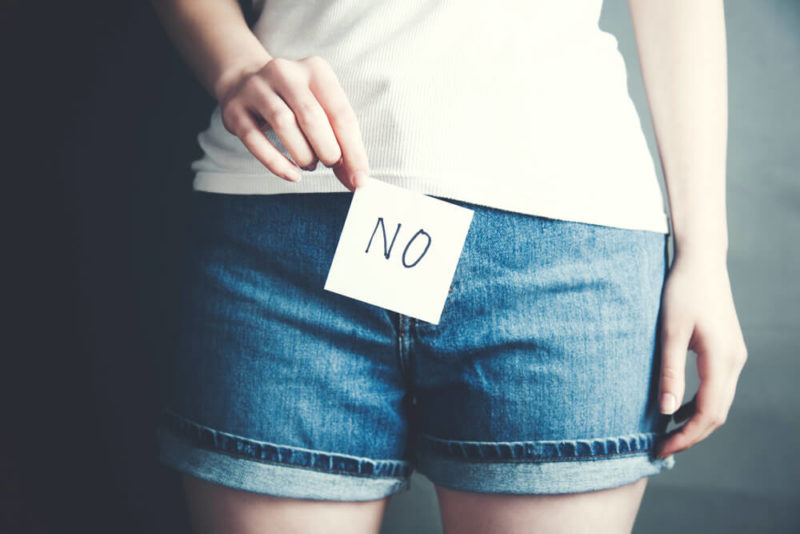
608, 511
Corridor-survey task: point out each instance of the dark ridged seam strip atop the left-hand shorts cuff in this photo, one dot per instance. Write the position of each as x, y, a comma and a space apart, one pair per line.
237, 446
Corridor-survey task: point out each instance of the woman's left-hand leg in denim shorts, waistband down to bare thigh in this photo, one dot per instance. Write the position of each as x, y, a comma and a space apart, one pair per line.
285, 408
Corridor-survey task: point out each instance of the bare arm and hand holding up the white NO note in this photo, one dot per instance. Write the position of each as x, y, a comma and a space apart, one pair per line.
301, 100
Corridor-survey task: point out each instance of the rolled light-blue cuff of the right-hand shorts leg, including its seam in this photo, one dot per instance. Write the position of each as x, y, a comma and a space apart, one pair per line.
541, 467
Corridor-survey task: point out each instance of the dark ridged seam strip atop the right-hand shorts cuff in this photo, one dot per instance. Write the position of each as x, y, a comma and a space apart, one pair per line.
547, 450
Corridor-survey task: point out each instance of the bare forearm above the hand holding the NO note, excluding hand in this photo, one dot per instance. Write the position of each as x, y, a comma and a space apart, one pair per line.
213, 38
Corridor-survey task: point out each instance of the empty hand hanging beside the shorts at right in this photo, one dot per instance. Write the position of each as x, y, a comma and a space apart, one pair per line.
698, 313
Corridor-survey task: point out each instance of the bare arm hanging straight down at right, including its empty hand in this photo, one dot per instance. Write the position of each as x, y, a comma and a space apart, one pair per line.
683, 54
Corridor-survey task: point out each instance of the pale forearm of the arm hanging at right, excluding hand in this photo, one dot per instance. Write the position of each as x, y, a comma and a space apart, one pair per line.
682, 52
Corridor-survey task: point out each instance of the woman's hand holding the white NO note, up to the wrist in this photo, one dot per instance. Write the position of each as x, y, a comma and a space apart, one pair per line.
304, 104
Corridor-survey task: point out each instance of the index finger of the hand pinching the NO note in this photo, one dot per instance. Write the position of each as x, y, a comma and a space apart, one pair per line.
334, 101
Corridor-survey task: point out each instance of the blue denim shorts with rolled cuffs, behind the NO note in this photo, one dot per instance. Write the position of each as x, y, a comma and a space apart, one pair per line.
540, 378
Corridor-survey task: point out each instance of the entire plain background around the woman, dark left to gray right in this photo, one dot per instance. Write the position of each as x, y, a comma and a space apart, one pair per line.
101, 118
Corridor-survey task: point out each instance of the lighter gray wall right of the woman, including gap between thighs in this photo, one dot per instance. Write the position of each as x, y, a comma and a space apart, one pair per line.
745, 477
